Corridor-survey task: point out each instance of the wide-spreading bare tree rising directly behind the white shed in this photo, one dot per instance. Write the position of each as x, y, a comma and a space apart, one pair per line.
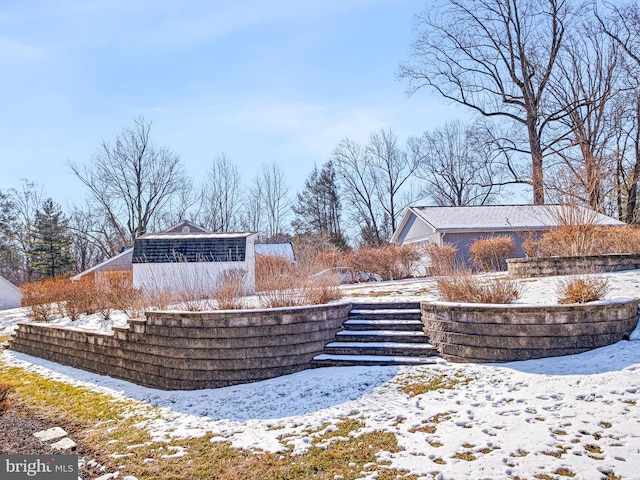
131, 180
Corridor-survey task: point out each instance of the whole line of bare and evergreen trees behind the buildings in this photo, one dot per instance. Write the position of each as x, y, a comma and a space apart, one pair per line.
552, 91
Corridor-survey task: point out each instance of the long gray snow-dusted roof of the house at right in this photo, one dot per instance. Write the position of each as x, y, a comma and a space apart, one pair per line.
506, 217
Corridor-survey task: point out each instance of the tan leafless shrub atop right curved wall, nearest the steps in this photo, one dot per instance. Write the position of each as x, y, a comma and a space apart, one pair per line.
462, 286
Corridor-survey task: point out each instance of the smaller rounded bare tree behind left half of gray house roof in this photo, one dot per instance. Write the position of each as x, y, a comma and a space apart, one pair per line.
458, 168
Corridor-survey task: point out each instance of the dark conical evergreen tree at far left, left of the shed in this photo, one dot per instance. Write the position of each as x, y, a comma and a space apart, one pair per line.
51, 250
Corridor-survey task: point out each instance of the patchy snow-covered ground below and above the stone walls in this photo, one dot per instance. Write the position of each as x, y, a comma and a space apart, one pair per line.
577, 414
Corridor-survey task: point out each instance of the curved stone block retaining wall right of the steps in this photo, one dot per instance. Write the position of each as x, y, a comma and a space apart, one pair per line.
466, 332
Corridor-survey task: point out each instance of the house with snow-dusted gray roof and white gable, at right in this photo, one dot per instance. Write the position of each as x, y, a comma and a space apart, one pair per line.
461, 226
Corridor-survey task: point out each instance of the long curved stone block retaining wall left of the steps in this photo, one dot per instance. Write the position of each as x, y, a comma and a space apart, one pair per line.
192, 350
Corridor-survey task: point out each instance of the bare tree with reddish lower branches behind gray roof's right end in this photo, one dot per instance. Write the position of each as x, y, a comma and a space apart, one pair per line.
587, 82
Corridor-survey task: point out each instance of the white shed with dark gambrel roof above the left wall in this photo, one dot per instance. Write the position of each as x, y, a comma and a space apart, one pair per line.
175, 261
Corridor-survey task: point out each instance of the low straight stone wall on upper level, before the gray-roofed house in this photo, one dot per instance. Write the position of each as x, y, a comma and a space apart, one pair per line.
548, 266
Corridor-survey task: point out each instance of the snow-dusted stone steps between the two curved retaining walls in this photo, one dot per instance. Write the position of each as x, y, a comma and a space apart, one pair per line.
380, 334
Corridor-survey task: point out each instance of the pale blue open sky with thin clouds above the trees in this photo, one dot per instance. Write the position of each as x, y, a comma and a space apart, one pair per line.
259, 80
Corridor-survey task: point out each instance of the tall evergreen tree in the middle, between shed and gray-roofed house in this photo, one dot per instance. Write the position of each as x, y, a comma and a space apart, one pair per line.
317, 207
